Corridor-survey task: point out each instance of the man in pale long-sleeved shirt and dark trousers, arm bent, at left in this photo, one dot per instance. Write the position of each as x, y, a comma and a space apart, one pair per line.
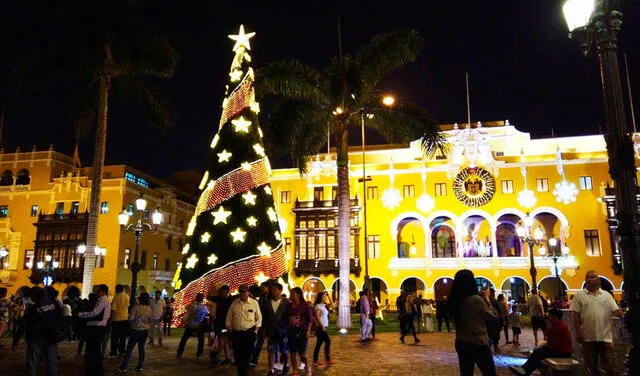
96, 332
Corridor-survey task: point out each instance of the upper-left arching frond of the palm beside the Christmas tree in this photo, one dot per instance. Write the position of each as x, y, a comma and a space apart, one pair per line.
290, 79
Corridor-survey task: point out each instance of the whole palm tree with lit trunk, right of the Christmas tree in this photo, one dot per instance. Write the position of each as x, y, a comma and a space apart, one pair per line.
309, 101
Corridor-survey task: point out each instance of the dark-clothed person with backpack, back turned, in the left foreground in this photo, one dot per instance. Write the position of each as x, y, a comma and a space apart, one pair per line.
43, 321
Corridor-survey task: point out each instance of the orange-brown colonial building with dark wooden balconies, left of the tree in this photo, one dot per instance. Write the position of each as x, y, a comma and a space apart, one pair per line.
44, 203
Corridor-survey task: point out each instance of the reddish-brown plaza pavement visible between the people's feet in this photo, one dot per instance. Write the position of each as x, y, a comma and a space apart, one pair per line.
433, 356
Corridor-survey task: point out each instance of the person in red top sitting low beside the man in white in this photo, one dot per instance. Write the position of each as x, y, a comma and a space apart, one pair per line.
558, 344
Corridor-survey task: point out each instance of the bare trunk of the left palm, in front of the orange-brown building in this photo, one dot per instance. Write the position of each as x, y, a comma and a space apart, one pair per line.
96, 186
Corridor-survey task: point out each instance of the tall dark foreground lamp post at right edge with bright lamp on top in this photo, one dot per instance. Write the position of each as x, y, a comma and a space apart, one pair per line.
596, 22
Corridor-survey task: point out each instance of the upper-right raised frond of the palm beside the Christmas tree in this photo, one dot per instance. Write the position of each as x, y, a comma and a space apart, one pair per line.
386, 53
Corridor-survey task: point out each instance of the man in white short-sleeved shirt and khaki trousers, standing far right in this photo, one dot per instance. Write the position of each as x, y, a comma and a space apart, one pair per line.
592, 310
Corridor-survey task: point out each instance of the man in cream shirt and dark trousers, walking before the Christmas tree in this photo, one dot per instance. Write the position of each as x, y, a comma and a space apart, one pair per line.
243, 320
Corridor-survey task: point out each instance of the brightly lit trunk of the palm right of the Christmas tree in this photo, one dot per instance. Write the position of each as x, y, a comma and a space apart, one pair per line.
344, 224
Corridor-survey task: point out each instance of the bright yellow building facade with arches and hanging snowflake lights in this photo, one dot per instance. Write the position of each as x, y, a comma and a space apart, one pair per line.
428, 218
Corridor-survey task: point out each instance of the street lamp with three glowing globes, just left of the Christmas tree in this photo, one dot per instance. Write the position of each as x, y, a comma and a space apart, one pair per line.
138, 228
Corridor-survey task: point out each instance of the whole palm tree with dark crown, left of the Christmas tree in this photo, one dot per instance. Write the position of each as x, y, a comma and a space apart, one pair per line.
108, 51
